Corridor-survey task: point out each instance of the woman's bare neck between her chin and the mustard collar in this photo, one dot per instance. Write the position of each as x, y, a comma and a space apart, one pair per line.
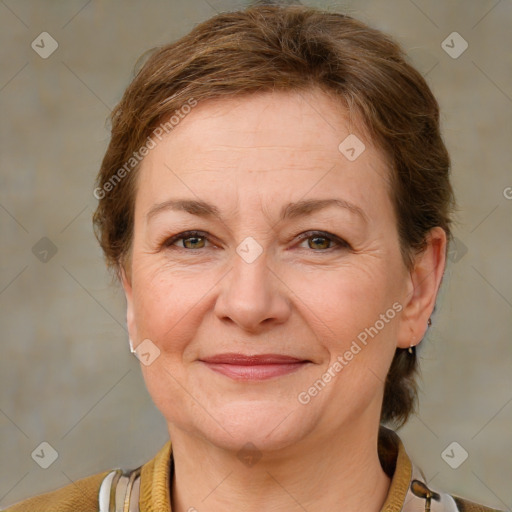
341, 472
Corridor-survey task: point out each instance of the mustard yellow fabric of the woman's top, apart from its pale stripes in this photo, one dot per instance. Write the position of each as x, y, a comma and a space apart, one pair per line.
408, 491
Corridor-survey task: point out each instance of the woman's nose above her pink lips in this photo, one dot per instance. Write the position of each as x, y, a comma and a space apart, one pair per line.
253, 296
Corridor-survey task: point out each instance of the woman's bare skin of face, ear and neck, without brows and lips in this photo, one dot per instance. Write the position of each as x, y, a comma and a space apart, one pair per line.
307, 298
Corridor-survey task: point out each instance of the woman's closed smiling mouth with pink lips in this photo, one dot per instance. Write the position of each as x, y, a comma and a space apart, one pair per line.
254, 367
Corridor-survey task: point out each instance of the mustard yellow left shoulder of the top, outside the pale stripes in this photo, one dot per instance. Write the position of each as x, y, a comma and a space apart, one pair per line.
81, 495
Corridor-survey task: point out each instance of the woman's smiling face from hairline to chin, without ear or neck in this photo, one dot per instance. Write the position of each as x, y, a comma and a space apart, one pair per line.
294, 252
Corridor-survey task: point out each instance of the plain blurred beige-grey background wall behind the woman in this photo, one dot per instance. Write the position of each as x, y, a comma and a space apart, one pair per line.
67, 377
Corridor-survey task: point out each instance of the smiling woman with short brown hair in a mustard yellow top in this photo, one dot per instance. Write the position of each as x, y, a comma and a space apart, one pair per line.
276, 203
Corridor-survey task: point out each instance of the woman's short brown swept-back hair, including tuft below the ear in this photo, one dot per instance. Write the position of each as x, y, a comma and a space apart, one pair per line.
293, 48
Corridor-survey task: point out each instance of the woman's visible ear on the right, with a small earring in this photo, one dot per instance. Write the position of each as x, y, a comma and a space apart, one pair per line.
422, 288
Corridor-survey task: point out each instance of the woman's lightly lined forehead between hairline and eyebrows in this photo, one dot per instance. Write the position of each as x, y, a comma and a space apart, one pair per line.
280, 144
